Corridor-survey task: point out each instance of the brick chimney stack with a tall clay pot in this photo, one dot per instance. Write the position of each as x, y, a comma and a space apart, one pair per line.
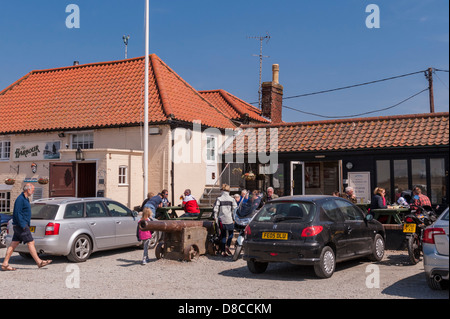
272, 97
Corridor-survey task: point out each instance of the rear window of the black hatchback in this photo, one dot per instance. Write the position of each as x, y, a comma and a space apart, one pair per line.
289, 210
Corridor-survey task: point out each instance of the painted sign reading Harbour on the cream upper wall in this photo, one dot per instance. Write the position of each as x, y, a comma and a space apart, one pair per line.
36, 151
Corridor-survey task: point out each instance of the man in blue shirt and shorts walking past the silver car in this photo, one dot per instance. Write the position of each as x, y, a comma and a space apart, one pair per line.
22, 233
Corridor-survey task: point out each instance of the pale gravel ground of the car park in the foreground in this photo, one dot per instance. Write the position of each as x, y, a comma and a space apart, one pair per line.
119, 274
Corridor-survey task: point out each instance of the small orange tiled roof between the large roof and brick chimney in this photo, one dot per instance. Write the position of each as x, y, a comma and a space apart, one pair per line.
234, 107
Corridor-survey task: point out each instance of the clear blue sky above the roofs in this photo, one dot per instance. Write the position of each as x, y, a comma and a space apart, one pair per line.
319, 45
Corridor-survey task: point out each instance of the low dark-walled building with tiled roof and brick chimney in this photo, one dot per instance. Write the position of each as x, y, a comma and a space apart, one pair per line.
320, 157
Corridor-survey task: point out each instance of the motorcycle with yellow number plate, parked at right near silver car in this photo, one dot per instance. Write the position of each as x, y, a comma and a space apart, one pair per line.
414, 225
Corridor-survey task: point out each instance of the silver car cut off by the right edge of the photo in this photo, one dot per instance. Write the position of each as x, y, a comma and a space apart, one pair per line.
435, 252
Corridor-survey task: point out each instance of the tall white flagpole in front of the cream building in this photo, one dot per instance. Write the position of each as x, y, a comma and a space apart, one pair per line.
147, 31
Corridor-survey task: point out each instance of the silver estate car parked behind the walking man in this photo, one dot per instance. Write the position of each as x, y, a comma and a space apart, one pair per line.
77, 227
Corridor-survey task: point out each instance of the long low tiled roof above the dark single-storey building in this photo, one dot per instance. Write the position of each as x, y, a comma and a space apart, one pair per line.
414, 130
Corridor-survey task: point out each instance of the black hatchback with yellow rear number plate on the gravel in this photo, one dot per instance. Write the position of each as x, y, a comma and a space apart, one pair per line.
311, 230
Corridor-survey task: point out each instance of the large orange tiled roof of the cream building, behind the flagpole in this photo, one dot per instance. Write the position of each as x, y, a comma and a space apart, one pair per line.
103, 95
